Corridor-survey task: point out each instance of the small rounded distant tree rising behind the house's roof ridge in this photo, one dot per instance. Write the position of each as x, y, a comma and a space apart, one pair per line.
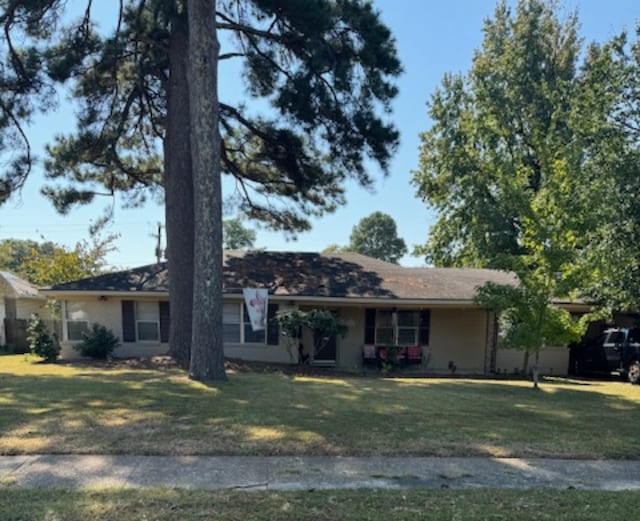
377, 236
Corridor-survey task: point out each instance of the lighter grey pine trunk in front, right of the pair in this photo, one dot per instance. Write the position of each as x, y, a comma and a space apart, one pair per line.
207, 354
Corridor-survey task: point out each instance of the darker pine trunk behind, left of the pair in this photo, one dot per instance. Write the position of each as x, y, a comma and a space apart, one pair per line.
178, 183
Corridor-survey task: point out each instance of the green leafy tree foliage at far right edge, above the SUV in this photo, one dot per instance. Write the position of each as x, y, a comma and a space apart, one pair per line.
608, 119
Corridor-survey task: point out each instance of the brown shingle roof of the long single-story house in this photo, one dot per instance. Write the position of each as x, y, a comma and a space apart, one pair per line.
292, 274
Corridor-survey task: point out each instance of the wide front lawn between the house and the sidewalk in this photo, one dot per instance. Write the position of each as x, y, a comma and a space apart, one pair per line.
85, 409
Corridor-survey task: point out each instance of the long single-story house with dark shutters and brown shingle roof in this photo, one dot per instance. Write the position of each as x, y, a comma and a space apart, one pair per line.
382, 303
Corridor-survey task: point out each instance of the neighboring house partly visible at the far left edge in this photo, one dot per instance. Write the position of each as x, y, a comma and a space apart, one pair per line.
19, 299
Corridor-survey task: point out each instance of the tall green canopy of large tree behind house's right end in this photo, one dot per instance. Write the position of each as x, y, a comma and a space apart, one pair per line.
498, 160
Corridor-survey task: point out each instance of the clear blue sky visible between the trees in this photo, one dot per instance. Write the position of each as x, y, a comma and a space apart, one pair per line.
433, 37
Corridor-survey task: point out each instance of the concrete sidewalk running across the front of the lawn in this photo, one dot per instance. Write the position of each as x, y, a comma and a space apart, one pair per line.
303, 473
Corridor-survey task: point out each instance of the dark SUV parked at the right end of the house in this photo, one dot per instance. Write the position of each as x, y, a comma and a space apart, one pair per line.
616, 351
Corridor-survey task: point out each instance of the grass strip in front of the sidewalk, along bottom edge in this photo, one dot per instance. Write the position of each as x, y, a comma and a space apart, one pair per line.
379, 505
